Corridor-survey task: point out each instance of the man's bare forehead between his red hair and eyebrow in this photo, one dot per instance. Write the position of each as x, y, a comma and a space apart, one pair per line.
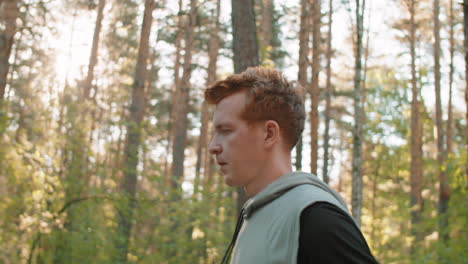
230, 107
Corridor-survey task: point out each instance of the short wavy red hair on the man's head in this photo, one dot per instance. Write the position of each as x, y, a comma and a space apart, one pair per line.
270, 96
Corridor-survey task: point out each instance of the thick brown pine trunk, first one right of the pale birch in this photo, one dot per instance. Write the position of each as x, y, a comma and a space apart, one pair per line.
416, 202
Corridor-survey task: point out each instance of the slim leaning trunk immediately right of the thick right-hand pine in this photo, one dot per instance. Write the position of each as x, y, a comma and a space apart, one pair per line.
443, 181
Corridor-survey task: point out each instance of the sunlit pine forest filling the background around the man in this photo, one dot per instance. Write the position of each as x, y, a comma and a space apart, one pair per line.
104, 129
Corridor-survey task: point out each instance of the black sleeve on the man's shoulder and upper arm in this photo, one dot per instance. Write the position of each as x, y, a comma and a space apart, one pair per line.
329, 235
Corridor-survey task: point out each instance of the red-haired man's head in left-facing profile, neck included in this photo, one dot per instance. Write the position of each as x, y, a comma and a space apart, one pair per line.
258, 119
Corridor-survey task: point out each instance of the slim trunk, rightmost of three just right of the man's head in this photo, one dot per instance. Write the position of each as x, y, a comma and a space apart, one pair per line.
328, 92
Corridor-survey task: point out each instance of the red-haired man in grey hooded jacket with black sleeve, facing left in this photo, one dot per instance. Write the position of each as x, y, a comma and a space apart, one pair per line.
290, 217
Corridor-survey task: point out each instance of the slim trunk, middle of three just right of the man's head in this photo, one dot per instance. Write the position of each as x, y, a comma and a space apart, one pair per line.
315, 89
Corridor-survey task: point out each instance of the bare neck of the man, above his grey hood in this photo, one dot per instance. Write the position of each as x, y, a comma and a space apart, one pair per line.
271, 170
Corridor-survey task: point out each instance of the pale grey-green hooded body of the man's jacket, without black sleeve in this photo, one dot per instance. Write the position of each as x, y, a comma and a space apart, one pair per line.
271, 219
